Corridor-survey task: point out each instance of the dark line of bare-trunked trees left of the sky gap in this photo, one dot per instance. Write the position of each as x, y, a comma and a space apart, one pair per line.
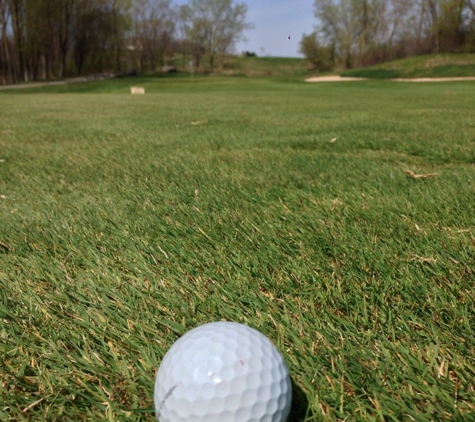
48, 39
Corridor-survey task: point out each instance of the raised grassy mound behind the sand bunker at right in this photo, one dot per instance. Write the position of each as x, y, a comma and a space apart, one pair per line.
431, 66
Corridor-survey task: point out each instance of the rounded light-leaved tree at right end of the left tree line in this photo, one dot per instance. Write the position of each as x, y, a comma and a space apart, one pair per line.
213, 27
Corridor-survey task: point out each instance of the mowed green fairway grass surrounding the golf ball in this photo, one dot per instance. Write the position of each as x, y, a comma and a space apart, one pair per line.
128, 220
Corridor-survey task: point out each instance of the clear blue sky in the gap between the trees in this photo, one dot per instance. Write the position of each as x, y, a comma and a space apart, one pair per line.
274, 21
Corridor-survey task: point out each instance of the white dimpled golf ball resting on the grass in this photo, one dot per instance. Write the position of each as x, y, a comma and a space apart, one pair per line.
223, 372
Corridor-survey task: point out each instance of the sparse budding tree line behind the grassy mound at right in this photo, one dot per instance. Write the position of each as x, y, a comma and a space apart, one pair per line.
354, 33
